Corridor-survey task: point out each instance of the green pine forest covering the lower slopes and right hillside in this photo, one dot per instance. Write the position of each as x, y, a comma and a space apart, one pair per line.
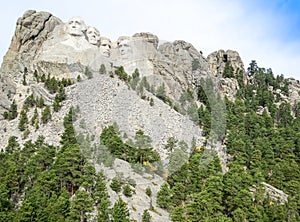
57, 183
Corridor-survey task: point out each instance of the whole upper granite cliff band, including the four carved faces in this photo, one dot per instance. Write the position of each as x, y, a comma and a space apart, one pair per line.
42, 40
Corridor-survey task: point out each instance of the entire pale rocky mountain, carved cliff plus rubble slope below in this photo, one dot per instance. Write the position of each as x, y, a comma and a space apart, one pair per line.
44, 45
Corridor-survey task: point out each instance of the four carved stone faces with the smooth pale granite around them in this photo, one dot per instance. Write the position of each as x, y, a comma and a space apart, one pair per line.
74, 41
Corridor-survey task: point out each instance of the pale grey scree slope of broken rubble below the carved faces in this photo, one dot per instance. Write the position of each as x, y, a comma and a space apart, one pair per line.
104, 100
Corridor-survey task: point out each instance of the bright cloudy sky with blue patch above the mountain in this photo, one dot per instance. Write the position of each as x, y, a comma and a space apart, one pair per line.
267, 31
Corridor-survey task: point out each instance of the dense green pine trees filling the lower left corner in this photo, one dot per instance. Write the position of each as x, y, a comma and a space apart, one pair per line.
56, 183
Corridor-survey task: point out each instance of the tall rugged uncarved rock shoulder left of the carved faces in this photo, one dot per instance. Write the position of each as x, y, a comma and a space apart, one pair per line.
32, 30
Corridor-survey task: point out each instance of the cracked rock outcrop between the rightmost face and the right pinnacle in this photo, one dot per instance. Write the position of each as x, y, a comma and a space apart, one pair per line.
181, 65
